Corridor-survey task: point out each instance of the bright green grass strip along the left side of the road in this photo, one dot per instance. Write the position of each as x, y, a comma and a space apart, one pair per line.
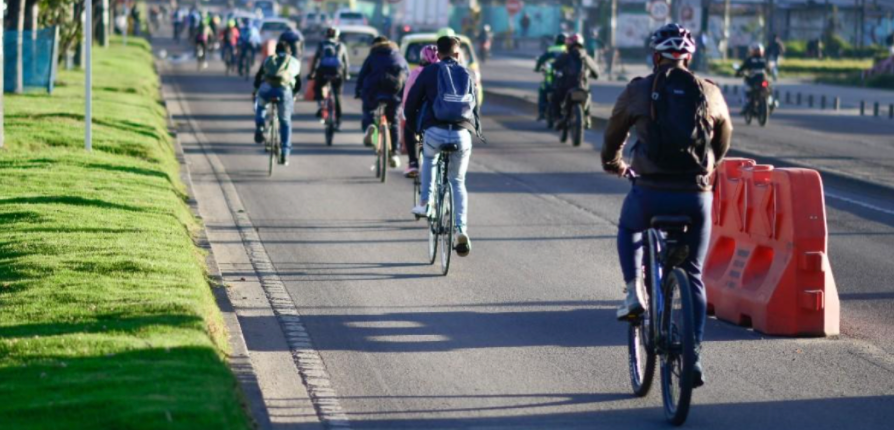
107, 320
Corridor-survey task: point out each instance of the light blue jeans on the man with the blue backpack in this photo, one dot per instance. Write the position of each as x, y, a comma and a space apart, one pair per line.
459, 164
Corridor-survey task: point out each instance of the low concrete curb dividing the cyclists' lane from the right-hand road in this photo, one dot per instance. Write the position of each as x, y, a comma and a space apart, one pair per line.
839, 178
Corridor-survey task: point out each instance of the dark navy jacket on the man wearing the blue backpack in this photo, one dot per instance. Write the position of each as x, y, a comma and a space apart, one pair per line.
418, 108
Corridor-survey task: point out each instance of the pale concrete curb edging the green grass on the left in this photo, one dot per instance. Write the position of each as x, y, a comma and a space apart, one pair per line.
238, 360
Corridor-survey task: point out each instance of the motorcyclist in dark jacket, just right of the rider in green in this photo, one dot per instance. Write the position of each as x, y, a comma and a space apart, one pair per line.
573, 70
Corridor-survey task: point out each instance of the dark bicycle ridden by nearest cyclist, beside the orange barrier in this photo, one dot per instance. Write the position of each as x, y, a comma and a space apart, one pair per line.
666, 328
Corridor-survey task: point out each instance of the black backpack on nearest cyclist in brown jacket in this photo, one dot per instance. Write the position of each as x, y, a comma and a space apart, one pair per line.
681, 132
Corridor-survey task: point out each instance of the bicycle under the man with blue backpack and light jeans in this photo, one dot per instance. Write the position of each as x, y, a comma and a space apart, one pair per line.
442, 221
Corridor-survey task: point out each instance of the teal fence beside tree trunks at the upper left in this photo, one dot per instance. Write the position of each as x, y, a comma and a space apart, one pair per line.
39, 52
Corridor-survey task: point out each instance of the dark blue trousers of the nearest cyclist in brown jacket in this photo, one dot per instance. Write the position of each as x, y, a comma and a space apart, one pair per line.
639, 207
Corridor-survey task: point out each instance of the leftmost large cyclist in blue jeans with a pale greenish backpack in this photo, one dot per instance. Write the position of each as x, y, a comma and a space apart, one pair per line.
278, 77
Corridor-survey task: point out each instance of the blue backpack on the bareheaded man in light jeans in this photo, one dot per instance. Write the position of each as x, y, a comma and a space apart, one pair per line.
455, 102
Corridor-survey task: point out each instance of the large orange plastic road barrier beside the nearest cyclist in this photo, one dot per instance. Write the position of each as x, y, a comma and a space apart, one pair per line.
768, 264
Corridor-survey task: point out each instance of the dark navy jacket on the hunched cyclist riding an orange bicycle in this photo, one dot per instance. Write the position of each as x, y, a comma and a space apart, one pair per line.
382, 57
